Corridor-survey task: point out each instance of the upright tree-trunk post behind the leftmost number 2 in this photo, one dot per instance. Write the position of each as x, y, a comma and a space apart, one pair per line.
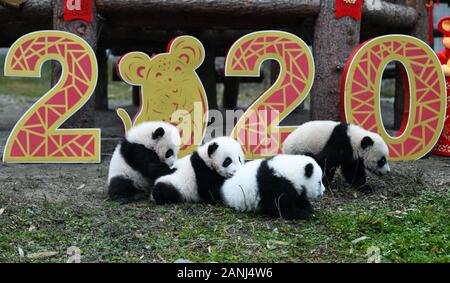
83, 118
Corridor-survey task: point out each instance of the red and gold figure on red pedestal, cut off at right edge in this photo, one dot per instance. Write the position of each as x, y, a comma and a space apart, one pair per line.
443, 145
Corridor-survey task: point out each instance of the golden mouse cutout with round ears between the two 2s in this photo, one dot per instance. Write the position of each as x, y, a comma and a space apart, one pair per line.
171, 90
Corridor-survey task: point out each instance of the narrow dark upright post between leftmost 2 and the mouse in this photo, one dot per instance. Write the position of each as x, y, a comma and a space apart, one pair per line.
101, 91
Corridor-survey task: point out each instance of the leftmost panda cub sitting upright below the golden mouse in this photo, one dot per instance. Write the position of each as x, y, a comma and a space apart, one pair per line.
146, 153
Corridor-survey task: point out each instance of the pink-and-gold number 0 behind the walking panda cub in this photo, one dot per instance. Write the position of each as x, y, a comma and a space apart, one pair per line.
426, 100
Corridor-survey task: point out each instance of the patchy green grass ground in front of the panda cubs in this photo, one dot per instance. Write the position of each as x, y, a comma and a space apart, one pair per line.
409, 228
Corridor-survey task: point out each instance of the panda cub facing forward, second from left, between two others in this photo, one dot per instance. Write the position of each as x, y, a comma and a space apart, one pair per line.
199, 176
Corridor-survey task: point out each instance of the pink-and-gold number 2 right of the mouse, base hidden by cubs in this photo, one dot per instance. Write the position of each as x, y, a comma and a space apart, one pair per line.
257, 130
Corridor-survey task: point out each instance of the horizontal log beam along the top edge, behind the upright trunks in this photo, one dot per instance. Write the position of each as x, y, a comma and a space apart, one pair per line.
380, 12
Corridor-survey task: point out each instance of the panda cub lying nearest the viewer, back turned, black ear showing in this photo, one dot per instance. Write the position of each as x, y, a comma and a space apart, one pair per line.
281, 186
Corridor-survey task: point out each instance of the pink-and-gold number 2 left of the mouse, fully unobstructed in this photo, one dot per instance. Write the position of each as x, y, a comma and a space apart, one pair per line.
36, 137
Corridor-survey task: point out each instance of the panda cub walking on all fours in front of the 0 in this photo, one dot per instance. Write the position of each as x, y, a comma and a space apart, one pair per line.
335, 144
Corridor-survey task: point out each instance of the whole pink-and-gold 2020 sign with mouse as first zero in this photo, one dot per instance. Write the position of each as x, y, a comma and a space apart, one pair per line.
36, 137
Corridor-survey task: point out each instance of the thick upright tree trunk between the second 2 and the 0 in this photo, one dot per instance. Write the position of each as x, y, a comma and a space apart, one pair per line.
330, 55
